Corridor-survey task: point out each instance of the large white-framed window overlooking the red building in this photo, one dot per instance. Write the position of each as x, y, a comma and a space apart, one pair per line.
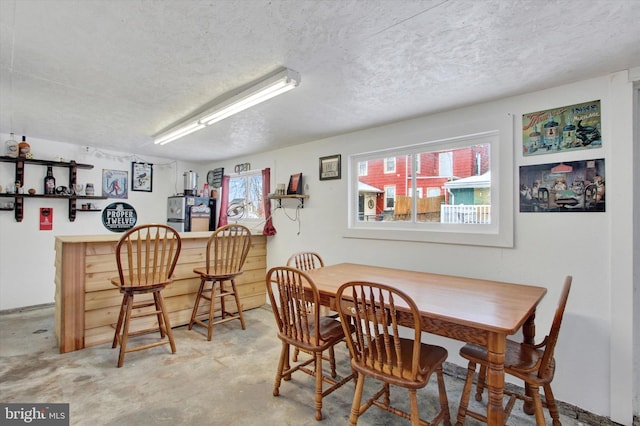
451, 190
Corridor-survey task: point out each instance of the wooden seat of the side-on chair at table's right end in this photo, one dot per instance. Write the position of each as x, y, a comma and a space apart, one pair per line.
521, 360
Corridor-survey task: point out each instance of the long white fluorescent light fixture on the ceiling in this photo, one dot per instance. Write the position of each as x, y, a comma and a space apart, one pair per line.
265, 89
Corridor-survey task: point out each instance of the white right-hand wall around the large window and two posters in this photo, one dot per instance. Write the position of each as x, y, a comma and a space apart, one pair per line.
595, 352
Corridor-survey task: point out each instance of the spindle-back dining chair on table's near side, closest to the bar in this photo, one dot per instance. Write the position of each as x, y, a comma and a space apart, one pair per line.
295, 307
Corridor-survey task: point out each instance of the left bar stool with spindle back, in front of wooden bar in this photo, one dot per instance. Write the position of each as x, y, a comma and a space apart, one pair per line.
146, 256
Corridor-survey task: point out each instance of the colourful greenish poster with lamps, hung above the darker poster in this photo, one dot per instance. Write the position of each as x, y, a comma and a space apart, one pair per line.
561, 129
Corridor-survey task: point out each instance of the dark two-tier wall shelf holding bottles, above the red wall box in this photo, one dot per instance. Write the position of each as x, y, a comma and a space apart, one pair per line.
19, 177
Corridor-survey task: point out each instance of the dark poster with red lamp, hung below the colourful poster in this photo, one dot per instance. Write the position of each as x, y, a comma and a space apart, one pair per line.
570, 186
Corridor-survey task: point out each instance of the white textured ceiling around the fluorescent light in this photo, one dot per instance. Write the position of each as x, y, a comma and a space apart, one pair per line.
111, 74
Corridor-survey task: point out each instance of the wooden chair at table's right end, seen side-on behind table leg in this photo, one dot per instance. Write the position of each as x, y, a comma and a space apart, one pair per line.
534, 364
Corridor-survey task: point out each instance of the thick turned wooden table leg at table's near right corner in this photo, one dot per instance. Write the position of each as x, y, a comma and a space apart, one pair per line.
496, 347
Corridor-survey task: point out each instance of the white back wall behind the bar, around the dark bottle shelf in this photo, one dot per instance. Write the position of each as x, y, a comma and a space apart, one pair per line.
27, 254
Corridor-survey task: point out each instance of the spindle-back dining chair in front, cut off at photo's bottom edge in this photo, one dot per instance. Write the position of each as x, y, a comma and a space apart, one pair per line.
379, 352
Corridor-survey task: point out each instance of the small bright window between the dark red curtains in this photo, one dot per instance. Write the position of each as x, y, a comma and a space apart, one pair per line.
245, 197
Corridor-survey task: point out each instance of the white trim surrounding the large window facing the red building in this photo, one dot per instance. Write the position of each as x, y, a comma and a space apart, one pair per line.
498, 132
